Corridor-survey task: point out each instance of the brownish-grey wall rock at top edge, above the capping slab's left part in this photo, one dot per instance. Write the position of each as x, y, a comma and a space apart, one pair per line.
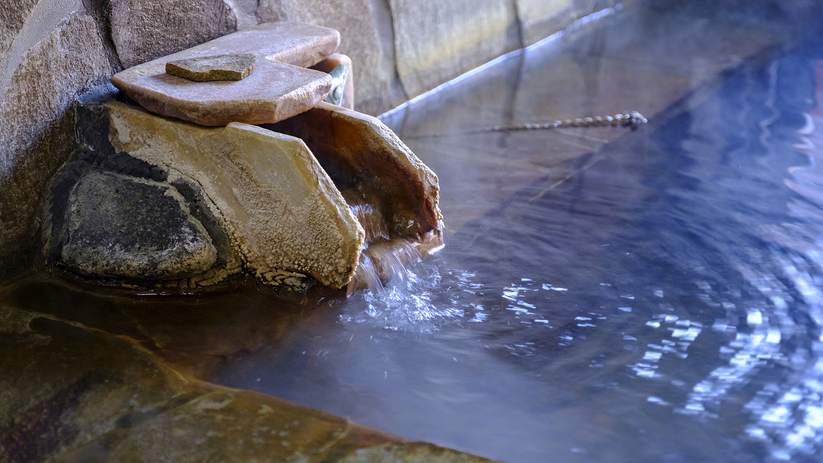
144, 30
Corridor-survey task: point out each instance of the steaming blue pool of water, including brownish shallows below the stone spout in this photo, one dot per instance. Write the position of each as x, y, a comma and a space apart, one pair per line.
604, 295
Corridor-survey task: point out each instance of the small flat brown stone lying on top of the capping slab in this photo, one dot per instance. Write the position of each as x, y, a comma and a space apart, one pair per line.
211, 68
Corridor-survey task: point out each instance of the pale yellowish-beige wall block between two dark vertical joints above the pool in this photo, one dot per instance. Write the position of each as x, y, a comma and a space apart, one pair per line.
436, 40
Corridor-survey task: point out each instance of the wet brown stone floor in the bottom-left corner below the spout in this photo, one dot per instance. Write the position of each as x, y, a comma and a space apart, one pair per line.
106, 378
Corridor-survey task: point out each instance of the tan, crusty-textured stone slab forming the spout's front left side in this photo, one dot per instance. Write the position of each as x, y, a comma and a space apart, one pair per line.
279, 207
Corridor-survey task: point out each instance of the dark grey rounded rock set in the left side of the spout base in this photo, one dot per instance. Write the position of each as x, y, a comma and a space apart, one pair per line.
123, 226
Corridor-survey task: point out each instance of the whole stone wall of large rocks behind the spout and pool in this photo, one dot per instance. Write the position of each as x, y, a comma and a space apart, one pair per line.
52, 51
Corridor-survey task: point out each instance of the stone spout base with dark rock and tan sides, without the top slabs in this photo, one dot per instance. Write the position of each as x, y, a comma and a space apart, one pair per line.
242, 194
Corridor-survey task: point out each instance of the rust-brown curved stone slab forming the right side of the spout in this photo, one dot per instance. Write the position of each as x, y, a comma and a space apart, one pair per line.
367, 157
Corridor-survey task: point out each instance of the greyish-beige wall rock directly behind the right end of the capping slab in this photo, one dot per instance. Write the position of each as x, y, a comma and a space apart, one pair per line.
366, 36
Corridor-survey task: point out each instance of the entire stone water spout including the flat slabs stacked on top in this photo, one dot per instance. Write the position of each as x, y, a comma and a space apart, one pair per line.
186, 191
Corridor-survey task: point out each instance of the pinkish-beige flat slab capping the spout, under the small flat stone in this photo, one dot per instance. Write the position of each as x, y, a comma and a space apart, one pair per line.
280, 86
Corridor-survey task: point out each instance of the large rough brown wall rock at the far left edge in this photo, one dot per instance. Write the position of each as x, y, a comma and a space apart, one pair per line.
37, 86
